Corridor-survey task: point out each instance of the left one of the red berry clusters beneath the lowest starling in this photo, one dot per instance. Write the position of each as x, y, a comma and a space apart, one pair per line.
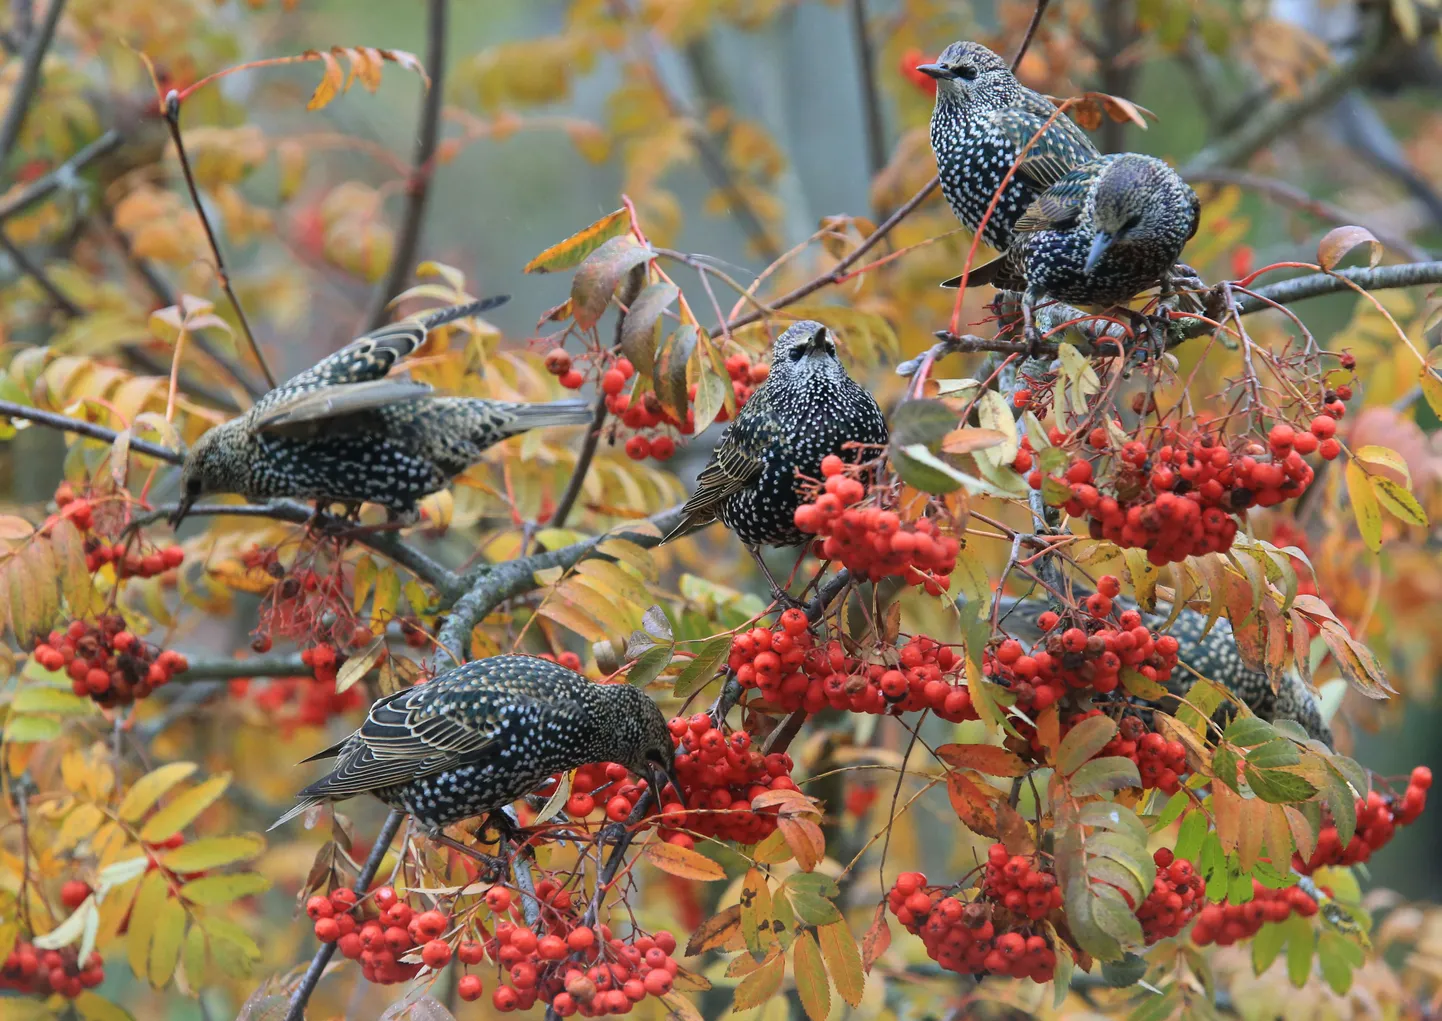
386, 945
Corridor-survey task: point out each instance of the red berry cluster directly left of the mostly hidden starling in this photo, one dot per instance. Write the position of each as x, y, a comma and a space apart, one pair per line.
1091, 653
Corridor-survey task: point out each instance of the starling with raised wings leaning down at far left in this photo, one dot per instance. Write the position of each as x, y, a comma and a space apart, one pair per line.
345, 432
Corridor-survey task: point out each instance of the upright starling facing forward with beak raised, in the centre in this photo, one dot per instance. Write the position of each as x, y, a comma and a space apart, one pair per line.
807, 409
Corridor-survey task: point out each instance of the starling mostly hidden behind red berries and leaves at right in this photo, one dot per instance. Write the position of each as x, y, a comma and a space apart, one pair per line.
1213, 657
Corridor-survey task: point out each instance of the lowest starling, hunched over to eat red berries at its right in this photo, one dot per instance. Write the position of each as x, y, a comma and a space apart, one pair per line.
479, 738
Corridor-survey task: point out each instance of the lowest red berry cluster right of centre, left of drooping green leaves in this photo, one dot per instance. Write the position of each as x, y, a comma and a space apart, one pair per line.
963, 938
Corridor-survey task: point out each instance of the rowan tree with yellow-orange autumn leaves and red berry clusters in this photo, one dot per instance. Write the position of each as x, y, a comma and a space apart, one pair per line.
983, 766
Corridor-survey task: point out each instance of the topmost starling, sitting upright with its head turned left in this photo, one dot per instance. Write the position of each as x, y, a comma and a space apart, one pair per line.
983, 120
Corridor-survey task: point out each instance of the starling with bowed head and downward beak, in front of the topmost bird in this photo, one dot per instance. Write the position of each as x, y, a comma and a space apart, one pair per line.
1098, 237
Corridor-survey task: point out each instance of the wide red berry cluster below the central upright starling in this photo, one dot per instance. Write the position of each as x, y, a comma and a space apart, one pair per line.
791, 673
